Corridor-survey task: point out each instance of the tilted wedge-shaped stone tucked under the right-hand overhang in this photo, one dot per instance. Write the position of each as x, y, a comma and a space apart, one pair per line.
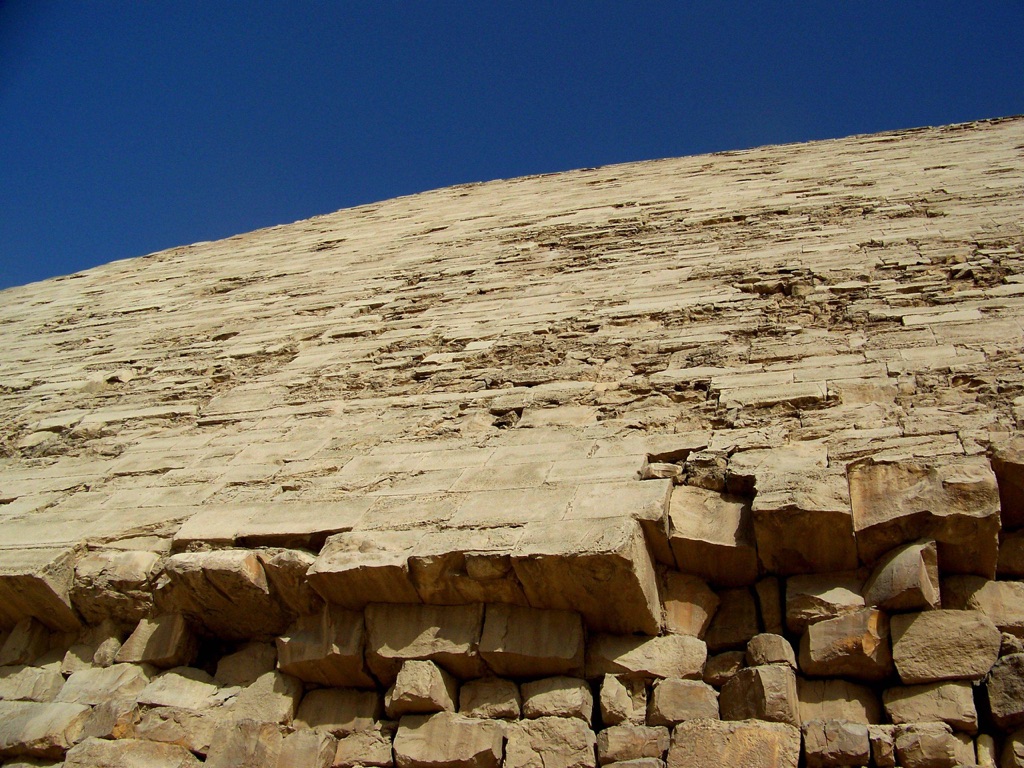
906, 579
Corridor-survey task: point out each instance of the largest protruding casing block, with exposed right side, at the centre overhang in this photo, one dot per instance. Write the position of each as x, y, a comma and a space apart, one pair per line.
600, 568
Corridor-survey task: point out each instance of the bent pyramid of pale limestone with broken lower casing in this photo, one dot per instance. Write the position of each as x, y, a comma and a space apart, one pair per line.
712, 461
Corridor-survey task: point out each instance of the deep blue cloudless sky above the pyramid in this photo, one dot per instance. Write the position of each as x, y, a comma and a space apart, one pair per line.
127, 127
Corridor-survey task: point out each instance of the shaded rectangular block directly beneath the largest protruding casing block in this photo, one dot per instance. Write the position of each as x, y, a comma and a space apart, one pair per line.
531, 643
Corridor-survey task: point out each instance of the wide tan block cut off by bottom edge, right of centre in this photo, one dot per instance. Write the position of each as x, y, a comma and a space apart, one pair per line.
750, 744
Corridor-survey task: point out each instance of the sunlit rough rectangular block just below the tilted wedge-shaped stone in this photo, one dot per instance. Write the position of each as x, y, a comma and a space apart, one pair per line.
941, 646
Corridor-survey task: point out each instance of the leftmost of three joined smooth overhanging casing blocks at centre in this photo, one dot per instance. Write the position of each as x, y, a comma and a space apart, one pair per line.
359, 568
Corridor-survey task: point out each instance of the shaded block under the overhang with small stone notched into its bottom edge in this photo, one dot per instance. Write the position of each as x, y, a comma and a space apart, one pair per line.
449, 635
